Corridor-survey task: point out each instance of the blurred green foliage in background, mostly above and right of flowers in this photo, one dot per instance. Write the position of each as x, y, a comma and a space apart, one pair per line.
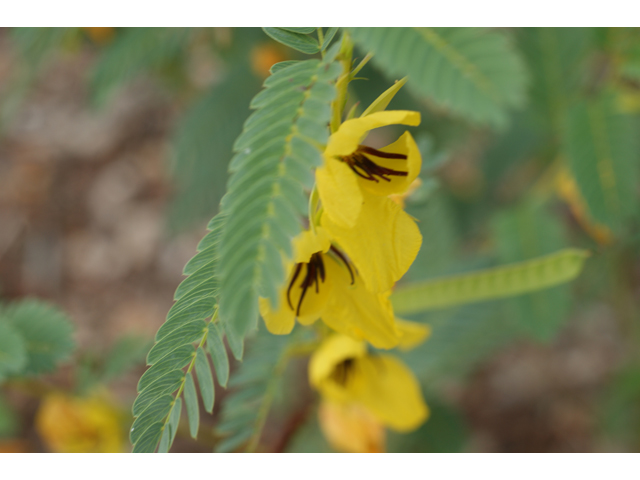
505, 113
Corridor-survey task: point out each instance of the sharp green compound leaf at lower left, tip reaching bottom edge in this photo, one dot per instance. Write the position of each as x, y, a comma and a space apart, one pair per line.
157, 408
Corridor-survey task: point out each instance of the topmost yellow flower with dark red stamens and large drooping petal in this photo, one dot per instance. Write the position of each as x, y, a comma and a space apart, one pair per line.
354, 185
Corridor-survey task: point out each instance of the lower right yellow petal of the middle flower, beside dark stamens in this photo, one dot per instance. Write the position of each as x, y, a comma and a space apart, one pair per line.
355, 311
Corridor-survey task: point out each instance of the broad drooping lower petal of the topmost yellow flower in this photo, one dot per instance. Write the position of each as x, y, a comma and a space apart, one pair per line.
382, 244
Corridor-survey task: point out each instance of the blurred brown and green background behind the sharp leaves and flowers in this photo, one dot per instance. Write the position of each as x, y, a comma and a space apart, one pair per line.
114, 144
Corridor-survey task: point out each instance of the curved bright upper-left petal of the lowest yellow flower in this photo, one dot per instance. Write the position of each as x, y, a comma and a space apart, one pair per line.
333, 351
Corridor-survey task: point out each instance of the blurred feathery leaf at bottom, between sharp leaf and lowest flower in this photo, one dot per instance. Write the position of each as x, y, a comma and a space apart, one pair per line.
254, 384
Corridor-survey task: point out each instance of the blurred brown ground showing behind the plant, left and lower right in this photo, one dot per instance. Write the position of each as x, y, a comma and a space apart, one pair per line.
82, 201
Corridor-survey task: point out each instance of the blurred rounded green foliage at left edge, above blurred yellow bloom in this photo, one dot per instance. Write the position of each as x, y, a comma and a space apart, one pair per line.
34, 338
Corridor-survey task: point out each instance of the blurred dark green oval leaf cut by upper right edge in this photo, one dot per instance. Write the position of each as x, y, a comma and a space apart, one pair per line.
601, 146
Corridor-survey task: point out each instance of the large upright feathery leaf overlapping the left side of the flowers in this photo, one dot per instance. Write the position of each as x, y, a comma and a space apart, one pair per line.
276, 153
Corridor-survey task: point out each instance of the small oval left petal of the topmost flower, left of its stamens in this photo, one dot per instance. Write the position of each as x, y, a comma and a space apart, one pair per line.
339, 192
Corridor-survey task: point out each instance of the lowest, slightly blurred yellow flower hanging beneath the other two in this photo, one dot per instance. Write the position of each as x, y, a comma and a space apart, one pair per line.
345, 373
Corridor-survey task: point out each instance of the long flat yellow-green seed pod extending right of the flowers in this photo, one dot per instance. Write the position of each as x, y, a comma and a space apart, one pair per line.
499, 282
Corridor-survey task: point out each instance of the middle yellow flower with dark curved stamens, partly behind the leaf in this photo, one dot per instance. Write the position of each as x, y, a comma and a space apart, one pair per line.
322, 283
